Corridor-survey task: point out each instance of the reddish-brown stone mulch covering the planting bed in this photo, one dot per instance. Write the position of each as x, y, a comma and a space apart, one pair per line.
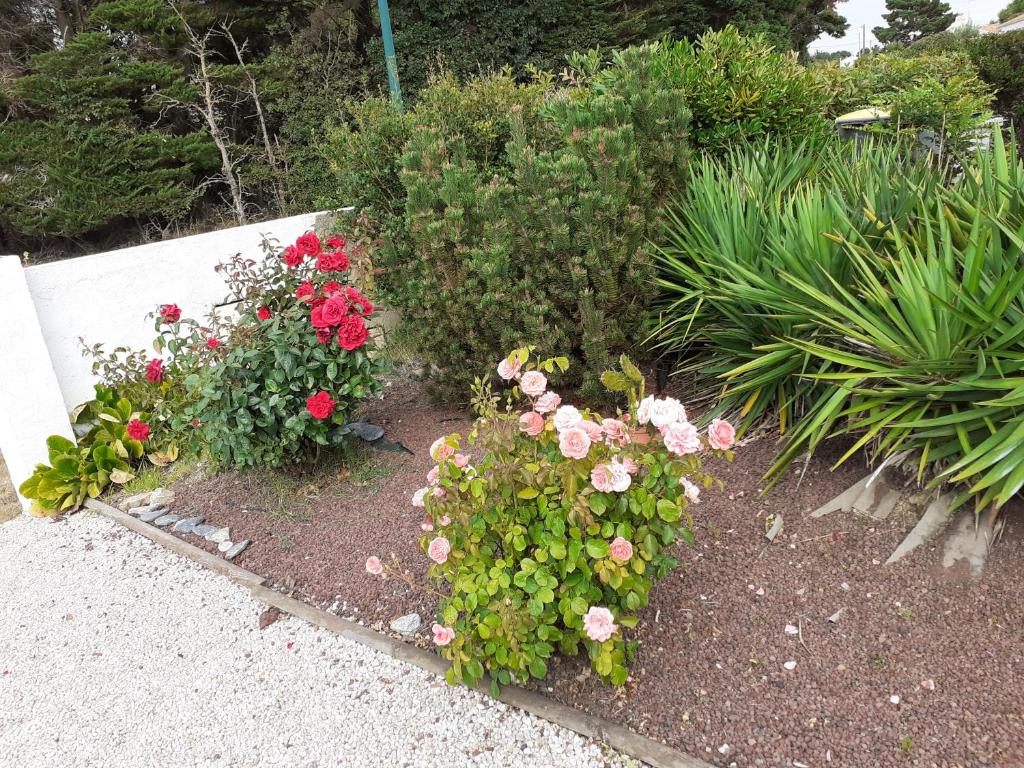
711, 675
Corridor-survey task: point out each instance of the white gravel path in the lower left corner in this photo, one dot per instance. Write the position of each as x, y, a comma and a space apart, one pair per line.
117, 653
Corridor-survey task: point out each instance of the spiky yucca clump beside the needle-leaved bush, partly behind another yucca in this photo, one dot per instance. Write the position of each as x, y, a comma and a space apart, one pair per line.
747, 221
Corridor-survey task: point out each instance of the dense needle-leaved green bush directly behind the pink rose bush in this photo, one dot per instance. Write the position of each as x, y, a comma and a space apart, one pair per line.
518, 211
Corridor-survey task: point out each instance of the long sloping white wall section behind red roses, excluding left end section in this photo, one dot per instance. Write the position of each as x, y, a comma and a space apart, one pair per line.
105, 297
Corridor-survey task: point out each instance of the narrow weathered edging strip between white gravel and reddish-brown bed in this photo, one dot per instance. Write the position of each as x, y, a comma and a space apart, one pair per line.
617, 737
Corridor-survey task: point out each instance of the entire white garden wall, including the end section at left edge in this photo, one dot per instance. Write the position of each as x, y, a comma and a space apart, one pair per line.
46, 310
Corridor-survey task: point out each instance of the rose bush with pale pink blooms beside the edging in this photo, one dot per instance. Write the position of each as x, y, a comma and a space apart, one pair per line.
554, 537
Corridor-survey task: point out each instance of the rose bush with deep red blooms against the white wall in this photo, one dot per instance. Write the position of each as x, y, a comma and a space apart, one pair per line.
263, 389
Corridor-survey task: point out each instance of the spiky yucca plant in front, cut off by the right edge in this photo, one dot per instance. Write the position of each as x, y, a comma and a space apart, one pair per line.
927, 344
